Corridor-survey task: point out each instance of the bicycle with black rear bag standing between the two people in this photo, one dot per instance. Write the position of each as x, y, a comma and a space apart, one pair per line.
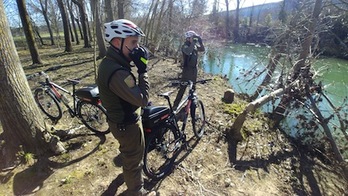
163, 136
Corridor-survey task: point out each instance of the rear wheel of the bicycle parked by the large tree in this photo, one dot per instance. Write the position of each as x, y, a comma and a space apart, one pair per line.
93, 116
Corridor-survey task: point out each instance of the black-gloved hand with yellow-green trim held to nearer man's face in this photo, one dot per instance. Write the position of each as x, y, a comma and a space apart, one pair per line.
139, 56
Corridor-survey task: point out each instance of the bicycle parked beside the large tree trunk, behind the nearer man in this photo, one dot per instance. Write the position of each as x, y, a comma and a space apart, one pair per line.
86, 103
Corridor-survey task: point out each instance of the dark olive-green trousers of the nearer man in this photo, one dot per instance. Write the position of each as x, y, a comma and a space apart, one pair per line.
132, 144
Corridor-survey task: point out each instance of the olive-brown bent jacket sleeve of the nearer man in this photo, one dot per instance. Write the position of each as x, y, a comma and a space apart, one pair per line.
124, 85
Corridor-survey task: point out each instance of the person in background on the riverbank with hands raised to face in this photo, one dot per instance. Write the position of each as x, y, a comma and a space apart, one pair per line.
193, 44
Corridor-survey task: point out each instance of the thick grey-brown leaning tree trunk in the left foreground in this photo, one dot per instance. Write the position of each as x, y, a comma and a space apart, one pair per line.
22, 122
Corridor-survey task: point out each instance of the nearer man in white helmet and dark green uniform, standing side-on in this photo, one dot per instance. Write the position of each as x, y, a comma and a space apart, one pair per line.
123, 96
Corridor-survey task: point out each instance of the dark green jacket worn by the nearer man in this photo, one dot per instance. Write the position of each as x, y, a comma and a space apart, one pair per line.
118, 89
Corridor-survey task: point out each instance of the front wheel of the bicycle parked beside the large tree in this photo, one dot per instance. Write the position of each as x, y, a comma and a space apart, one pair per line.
48, 103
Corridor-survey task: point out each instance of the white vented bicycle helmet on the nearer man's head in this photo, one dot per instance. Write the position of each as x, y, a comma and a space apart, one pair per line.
121, 28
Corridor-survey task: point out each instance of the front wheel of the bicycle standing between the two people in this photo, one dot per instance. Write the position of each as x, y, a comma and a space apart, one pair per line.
198, 118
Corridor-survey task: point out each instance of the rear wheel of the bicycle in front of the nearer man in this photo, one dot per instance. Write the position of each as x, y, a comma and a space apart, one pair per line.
160, 151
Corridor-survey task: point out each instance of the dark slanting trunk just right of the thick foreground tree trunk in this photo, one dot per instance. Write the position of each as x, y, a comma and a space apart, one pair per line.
28, 31
